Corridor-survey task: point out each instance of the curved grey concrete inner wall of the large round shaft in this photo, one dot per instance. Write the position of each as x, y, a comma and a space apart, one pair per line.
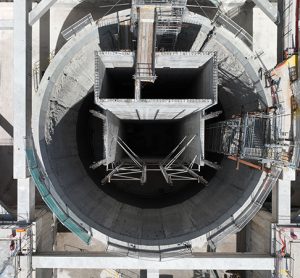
66, 83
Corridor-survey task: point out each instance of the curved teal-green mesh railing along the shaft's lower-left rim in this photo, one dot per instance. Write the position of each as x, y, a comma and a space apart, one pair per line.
44, 186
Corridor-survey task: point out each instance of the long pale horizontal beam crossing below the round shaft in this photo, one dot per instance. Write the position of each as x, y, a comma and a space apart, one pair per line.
218, 261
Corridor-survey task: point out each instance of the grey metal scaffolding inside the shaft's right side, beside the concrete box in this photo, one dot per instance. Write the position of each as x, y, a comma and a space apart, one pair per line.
253, 136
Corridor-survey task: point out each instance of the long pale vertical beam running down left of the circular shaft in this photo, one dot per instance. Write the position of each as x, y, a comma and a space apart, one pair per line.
22, 107
